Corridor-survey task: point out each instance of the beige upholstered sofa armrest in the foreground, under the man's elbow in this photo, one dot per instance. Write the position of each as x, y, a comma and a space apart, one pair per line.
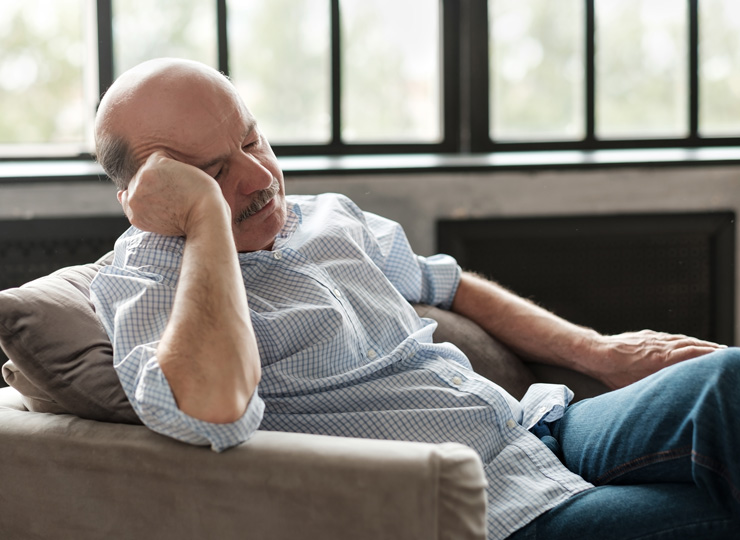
101, 480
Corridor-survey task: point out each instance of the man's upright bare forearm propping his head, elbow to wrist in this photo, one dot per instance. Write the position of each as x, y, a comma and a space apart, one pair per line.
208, 352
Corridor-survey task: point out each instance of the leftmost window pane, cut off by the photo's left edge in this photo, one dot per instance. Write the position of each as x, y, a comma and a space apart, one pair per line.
45, 94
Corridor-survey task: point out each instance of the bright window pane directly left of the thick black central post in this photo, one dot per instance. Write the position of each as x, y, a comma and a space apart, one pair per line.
391, 71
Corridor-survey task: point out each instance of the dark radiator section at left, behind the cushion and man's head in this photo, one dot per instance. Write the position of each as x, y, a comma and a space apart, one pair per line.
32, 248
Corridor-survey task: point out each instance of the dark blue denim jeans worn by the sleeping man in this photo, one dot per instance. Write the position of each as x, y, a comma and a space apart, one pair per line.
664, 454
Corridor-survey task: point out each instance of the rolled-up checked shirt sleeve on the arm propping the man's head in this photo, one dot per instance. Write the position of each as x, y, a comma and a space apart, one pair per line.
133, 298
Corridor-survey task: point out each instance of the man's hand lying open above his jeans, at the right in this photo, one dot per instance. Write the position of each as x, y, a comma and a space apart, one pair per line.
622, 359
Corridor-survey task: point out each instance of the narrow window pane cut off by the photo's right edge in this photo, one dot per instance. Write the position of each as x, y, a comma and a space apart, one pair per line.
719, 67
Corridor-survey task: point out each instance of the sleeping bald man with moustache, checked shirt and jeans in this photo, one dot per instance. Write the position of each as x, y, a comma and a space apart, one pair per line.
232, 307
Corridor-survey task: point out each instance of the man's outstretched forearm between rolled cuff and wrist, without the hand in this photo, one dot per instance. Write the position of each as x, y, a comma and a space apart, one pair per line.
528, 329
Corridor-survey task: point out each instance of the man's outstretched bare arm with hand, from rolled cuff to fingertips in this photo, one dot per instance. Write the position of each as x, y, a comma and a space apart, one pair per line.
540, 335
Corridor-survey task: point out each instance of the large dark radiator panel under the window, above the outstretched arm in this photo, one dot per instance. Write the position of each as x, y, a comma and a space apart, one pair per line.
673, 273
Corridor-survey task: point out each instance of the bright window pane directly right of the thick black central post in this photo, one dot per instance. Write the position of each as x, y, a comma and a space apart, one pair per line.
536, 69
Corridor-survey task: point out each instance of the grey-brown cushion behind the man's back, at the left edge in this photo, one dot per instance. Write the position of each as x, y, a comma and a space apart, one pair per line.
61, 359
